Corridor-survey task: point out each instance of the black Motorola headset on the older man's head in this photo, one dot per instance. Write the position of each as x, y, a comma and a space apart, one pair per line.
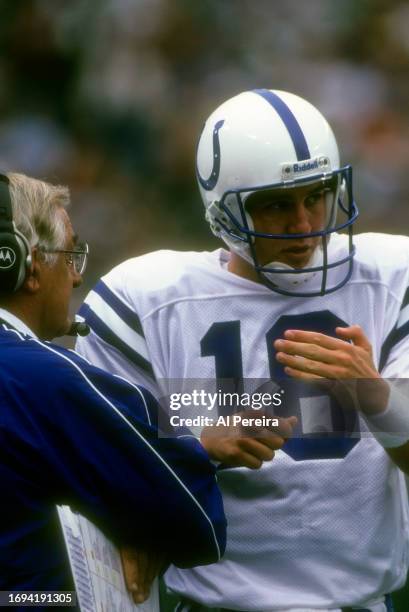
15, 252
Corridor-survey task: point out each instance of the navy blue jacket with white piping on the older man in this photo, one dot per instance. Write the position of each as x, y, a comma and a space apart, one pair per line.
72, 434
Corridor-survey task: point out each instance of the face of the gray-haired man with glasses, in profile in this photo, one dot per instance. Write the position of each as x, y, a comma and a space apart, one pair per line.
58, 282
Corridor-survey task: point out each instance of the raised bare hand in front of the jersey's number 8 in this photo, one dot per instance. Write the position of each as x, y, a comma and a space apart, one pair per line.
344, 365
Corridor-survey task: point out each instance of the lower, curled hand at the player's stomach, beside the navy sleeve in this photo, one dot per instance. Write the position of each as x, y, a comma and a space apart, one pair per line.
238, 446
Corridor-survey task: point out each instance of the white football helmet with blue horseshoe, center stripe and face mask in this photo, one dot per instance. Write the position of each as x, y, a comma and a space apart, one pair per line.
265, 139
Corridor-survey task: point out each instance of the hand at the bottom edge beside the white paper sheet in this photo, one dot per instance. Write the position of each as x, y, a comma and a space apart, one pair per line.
140, 570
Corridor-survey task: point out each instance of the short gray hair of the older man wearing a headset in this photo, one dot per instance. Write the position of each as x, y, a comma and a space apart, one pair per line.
35, 207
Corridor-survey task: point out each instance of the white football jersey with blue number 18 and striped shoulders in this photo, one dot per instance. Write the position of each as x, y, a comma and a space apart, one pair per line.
325, 524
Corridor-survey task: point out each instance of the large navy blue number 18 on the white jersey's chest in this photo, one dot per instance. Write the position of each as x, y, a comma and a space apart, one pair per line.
326, 430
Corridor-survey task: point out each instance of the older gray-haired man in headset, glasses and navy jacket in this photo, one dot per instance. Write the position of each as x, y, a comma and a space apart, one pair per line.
73, 434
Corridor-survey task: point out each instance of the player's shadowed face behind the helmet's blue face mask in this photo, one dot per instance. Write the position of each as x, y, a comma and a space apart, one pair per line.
299, 210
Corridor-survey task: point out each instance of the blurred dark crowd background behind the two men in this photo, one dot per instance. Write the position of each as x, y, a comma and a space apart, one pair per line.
109, 97
